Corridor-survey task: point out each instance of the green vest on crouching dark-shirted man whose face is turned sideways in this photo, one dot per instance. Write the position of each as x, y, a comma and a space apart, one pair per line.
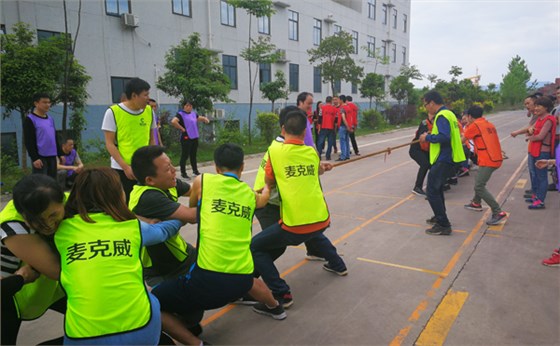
176, 245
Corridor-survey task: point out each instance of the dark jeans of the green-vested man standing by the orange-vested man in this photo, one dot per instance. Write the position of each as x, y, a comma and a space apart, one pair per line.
437, 178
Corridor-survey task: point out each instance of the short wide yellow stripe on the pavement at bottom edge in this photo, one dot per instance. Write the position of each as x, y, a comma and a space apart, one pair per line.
442, 320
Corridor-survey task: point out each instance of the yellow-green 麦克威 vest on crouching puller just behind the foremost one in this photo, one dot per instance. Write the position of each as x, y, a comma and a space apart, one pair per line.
224, 230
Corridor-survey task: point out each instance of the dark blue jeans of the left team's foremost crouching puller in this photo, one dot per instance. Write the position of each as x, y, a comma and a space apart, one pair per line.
265, 244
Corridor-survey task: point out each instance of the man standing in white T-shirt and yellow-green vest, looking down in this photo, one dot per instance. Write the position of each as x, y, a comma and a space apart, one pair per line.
128, 126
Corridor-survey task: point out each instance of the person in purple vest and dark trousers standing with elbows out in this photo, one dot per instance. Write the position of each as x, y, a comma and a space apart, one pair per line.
186, 121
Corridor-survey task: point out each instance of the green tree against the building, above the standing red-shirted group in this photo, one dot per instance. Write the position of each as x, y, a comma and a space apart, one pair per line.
333, 58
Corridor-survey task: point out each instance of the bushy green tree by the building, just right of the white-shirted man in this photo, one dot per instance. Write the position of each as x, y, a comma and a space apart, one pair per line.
194, 73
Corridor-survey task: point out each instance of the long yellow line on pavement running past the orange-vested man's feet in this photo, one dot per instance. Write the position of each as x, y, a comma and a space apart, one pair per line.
415, 315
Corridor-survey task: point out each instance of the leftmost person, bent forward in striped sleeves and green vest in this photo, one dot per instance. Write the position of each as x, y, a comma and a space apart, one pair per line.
28, 223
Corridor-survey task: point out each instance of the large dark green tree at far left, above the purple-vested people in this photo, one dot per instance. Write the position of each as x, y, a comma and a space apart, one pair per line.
28, 68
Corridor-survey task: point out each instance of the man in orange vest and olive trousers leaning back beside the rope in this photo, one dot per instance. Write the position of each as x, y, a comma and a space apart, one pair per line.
489, 151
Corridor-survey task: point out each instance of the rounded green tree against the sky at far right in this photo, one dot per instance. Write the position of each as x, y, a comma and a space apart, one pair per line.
514, 84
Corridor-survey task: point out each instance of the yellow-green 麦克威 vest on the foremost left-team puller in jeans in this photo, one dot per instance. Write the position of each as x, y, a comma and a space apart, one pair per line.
296, 170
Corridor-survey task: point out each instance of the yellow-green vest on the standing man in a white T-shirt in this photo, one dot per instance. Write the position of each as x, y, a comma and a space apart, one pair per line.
133, 130
